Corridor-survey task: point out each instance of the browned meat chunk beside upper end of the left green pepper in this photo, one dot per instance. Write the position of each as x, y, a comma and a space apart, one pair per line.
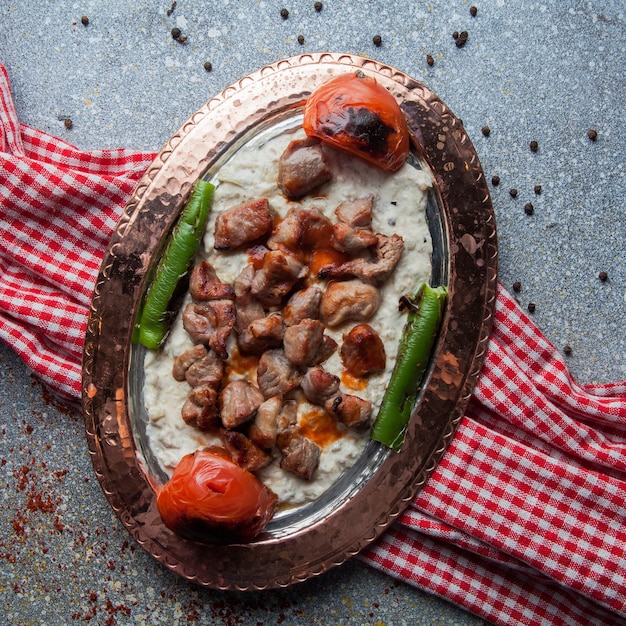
243, 223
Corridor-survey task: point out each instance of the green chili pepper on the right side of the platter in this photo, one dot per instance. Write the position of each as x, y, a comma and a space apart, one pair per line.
414, 351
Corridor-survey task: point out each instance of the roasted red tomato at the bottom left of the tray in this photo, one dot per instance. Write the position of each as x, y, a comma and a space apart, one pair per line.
209, 498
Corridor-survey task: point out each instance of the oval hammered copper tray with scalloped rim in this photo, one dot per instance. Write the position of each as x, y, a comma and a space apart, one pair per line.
368, 498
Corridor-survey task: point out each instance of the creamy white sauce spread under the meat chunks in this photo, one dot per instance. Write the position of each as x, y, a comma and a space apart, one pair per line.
399, 207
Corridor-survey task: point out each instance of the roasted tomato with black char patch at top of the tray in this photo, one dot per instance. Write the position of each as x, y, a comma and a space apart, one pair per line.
356, 114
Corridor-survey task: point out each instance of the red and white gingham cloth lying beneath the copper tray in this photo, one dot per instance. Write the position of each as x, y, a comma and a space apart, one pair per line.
522, 522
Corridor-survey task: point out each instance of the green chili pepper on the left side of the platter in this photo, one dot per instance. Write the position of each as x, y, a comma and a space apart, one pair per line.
173, 265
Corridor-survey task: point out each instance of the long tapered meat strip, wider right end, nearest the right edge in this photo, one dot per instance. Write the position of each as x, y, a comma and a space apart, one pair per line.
387, 253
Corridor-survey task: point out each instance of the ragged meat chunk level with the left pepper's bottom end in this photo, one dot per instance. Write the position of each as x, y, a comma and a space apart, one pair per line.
210, 323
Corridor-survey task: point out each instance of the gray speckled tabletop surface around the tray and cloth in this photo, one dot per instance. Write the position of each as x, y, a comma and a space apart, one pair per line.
531, 70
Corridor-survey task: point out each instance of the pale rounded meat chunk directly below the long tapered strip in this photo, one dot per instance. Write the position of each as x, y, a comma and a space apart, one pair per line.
349, 300
